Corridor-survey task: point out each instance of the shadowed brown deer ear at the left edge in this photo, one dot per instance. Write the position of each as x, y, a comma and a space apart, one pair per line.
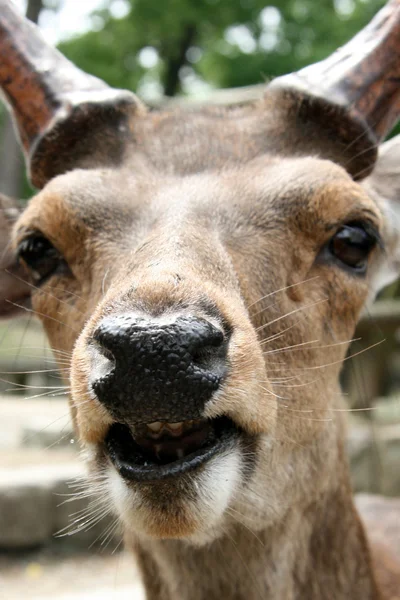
14, 292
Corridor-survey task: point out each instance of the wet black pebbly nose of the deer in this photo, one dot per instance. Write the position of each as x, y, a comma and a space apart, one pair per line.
157, 371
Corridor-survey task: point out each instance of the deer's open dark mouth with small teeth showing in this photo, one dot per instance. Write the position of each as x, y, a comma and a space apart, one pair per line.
138, 455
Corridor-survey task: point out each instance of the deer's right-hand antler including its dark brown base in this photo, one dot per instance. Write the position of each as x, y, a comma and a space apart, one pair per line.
345, 105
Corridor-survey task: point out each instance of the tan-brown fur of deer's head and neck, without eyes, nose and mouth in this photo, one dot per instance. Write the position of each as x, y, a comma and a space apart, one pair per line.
227, 210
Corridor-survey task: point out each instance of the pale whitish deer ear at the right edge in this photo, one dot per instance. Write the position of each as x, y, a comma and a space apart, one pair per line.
383, 185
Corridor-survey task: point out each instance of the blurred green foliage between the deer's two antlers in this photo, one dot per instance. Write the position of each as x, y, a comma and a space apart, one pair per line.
174, 46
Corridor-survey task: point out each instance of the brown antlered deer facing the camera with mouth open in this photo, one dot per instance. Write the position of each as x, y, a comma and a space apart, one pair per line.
204, 269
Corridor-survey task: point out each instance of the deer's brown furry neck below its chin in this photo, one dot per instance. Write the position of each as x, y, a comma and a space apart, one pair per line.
317, 551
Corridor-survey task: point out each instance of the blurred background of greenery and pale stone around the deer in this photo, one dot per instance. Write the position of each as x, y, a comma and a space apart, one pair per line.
166, 51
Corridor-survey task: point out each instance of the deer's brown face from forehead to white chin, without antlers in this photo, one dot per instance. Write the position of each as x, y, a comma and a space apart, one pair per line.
207, 286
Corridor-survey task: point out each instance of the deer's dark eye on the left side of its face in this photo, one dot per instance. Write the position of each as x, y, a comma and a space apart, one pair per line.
41, 258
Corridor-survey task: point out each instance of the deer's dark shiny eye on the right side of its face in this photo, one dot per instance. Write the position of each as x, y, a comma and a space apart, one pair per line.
352, 245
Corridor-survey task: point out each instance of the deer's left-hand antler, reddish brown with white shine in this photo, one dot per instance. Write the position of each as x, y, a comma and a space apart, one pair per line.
63, 115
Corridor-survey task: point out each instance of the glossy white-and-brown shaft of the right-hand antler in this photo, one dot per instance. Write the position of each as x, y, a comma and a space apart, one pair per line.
362, 77
